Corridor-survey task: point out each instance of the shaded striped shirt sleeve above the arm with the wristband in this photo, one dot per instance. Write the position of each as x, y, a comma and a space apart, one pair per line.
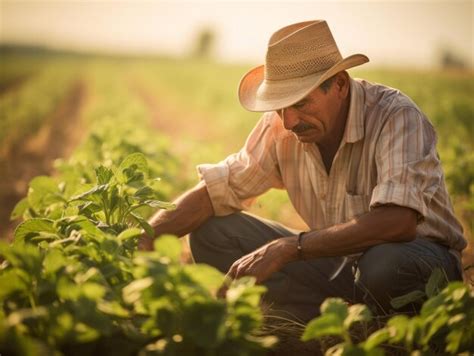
408, 167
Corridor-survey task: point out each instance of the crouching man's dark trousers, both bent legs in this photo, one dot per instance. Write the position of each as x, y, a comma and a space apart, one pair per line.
381, 273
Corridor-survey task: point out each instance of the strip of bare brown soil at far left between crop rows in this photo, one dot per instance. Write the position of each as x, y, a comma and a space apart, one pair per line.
35, 155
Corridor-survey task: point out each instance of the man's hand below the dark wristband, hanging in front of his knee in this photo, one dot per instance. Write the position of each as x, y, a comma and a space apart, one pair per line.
262, 263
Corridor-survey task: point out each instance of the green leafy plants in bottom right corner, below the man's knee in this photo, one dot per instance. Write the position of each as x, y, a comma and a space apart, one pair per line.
445, 324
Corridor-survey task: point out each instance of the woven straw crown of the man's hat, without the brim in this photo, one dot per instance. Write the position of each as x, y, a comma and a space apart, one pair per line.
299, 50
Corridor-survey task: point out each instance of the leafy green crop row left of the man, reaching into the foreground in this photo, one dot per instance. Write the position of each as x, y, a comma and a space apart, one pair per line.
72, 280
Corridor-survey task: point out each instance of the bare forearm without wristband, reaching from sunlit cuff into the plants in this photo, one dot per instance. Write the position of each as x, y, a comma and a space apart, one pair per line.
192, 209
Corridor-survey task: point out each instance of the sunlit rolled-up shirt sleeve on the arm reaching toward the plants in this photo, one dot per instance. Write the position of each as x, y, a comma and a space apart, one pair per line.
234, 183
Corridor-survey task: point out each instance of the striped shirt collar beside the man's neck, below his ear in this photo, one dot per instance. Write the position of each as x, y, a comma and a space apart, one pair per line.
355, 119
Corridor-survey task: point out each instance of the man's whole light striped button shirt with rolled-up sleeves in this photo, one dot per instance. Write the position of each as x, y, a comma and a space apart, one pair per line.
387, 156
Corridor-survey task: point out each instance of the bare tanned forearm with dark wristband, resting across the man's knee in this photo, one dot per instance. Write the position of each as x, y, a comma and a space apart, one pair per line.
381, 225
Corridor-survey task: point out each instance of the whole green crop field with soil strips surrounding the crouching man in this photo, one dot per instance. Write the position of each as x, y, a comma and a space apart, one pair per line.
98, 132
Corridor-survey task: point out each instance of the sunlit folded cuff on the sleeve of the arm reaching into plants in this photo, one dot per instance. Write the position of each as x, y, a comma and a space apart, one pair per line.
223, 199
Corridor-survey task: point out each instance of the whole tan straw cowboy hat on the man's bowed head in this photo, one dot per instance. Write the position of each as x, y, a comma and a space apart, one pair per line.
299, 58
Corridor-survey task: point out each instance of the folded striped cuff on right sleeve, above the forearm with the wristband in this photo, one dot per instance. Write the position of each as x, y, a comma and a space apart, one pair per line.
401, 195
